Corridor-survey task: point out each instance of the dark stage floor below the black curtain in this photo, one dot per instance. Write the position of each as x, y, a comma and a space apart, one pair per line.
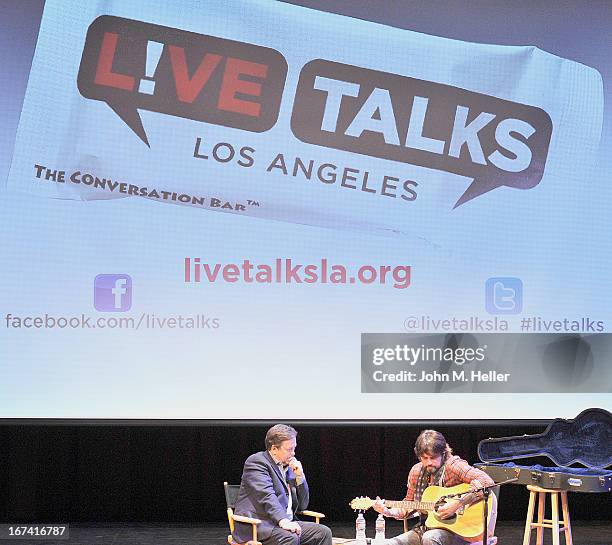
509, 533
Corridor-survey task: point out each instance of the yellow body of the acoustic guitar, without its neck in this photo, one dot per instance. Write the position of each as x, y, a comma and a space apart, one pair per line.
466, 523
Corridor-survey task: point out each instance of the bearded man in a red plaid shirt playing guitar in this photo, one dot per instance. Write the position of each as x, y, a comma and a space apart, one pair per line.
438, 466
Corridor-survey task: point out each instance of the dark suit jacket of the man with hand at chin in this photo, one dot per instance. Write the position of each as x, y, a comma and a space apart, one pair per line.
265, 495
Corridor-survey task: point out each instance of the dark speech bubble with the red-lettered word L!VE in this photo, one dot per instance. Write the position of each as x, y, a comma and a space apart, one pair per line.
240, 84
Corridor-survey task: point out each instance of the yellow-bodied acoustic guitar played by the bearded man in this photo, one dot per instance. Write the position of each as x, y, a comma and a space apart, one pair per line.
466, 522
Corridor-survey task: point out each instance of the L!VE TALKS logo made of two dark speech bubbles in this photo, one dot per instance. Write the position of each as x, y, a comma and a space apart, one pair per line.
132, 65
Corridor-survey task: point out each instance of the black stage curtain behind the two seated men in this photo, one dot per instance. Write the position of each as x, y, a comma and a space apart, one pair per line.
96, 473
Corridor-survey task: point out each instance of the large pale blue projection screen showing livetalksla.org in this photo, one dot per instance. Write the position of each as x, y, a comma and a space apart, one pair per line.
255, 209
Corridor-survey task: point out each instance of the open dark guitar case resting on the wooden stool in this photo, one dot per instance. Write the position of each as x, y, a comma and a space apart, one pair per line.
585, 440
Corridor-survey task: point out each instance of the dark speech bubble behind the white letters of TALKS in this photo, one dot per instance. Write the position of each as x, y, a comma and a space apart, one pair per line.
309, 105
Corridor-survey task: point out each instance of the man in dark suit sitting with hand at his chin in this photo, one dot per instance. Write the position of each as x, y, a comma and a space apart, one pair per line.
273, 489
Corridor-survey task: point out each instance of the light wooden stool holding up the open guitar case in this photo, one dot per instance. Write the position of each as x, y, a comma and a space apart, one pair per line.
553, 523
